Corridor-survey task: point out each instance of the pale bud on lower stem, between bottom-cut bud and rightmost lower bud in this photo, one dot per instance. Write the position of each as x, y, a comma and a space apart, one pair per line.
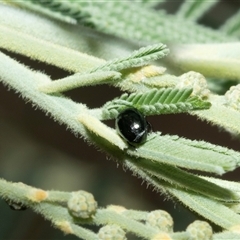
160, 220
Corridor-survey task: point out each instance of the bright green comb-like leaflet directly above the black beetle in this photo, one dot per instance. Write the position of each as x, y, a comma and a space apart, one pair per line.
155, 101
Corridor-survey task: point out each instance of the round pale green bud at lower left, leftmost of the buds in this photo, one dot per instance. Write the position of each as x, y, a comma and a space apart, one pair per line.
82, 204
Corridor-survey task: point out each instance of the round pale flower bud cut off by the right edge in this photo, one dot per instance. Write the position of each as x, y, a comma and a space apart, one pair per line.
232, 97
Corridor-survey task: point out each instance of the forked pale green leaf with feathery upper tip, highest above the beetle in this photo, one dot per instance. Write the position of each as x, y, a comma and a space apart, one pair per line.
108, 72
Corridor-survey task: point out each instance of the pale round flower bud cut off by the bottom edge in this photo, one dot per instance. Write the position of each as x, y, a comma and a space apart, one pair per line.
111, 232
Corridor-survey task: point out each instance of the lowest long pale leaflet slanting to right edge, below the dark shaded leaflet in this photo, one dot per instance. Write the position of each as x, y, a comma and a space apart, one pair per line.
213, 210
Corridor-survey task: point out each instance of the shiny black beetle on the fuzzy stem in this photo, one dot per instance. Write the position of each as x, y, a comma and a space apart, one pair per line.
132, 126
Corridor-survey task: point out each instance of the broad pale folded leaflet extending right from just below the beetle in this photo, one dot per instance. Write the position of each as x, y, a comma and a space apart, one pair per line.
177, 151
